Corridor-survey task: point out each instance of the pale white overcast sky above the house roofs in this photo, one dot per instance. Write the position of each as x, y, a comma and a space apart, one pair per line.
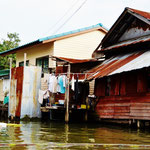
34, 19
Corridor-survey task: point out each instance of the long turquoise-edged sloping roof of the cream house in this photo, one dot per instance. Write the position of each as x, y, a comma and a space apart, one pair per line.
53, 37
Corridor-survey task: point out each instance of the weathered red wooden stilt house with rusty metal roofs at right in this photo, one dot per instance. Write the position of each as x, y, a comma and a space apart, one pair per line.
122, 81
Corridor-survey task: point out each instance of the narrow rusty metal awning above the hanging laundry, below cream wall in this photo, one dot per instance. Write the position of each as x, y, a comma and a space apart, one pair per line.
73, 61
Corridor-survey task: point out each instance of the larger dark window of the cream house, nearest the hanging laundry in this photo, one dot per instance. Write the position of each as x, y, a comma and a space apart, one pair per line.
44, 63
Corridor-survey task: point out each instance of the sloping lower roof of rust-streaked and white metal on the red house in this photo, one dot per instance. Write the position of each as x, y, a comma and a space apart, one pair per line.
120, 63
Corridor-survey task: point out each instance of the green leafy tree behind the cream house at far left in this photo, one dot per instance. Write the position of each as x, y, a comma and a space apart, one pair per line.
11, 42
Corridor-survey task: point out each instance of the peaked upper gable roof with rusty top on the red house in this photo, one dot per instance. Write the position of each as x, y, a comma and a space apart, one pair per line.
121, 25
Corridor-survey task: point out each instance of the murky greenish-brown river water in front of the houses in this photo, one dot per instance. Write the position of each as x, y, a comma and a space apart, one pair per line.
55, 135
